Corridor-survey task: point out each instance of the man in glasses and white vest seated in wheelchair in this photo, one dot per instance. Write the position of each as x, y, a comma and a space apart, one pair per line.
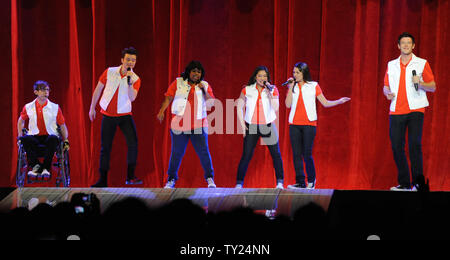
44, 119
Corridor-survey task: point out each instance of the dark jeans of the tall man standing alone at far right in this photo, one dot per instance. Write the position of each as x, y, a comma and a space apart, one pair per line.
398, 124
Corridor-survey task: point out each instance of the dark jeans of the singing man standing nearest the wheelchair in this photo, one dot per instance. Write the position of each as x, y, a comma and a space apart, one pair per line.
109, 126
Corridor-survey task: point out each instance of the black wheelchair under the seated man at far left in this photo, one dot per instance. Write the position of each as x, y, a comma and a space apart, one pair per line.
60, 164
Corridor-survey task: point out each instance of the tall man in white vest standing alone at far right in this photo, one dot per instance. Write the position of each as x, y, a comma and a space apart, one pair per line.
406, 83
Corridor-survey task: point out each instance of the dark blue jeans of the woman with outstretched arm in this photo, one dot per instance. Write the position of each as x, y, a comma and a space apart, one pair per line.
302, 140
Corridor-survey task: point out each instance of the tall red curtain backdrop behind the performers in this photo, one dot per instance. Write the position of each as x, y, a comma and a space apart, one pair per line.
346, 43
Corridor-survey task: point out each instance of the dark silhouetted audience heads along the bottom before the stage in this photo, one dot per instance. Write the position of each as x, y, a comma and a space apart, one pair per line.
183, 220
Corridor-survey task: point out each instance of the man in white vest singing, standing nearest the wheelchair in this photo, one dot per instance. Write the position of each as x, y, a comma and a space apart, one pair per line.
120, 86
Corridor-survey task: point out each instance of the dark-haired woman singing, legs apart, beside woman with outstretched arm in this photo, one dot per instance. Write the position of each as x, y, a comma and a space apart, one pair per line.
260, 100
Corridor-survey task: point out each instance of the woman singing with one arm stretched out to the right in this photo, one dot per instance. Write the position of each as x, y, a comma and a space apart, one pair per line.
301, 99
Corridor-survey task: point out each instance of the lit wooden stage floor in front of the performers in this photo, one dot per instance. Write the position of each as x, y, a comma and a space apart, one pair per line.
284, 202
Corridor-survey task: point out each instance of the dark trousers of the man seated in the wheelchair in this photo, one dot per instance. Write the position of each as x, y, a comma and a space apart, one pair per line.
31, 145
